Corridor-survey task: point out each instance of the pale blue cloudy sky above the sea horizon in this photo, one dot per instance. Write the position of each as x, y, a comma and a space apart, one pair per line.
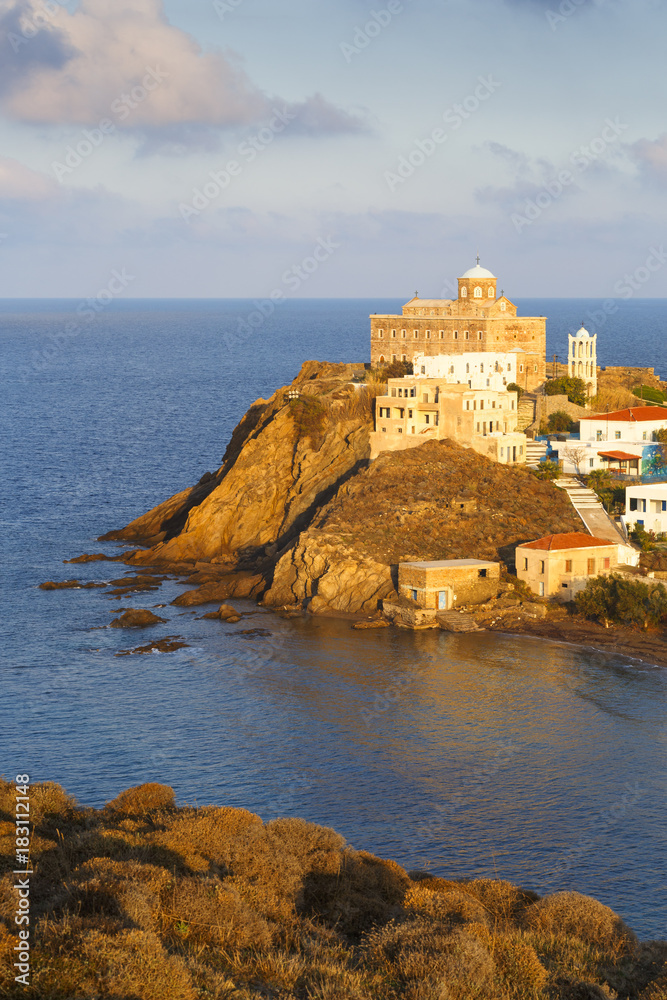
250, 148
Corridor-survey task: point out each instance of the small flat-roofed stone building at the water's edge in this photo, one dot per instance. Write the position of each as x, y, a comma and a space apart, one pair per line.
440, 586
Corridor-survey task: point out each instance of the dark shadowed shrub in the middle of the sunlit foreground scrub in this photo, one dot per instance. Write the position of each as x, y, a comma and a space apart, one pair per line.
366, 891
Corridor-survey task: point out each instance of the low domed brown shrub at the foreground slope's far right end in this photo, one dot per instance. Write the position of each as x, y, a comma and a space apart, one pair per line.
573, 915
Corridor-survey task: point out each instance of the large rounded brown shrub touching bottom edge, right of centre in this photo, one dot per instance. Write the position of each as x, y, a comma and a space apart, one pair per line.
421, 950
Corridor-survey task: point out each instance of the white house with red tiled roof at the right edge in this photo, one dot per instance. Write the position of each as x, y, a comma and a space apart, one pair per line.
621, 441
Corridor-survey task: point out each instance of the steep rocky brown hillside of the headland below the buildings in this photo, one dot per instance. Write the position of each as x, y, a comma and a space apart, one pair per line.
298, 502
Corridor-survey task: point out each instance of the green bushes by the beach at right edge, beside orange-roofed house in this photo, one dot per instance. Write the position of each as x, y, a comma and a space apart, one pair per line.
617, 599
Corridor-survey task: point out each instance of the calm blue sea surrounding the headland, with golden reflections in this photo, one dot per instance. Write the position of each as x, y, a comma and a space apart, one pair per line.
467, 755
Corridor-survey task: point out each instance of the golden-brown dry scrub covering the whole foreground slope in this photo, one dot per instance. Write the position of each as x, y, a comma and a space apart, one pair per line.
145, 901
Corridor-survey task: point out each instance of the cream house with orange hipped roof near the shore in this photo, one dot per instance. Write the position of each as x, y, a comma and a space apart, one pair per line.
560, 565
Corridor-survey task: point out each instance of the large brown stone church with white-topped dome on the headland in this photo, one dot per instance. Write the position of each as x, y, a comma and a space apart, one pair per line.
477, 321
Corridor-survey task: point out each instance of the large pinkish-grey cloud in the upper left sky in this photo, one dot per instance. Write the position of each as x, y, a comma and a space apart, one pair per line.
123, 61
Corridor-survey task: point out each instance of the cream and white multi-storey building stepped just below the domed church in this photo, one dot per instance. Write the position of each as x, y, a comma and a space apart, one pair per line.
417, 409
